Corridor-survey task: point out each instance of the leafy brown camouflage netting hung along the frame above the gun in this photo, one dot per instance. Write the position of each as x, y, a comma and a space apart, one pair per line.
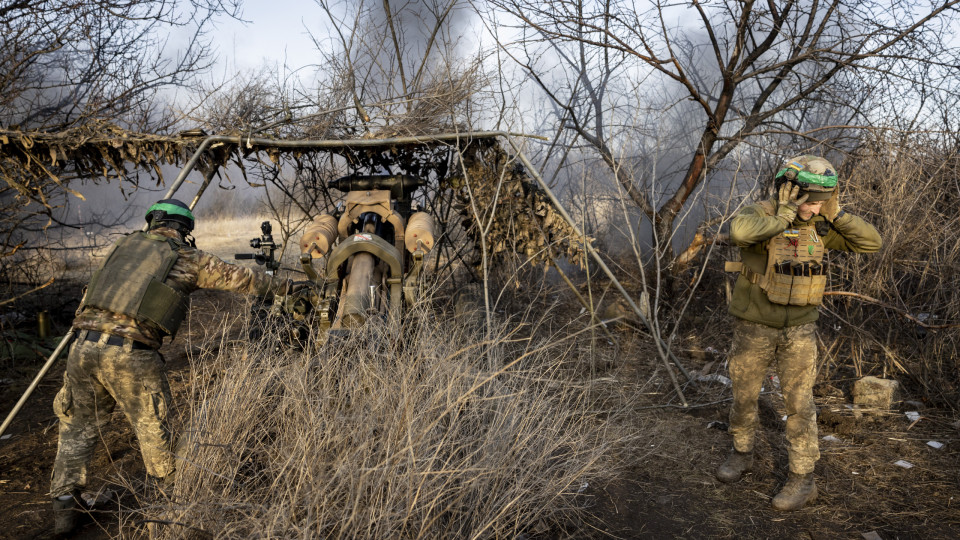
37, 169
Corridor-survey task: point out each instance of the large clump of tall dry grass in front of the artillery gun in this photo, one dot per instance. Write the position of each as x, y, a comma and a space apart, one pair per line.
429, 431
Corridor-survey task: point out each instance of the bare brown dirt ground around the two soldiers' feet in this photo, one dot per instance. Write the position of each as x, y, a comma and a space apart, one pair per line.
669, 492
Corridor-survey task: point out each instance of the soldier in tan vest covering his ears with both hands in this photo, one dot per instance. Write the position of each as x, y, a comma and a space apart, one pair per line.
781, 284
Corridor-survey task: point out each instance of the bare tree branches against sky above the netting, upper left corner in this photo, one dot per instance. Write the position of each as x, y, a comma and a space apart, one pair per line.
66, 63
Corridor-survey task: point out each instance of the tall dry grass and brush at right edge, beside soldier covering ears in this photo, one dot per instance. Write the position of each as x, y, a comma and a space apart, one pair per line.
910, 193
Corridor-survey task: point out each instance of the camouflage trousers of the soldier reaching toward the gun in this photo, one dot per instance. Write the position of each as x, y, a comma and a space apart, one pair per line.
98, 376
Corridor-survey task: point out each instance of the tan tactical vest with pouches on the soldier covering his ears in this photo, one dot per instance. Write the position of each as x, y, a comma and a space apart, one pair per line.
795, 273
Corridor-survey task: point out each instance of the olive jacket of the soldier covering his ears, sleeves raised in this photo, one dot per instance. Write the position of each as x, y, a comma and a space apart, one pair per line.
751, 229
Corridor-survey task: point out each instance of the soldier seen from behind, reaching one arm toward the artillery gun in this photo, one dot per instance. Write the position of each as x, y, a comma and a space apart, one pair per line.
137, 296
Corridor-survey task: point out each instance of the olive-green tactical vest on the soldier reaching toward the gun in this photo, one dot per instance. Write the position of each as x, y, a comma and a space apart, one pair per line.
130, 282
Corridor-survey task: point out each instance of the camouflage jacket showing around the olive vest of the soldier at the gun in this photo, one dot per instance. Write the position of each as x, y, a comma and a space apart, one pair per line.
193, 270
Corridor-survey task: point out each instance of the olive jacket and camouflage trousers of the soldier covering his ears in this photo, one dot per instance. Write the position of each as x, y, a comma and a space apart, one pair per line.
764, 331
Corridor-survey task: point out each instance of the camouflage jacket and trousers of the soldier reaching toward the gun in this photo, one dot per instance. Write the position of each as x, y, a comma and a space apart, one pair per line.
100, 375
